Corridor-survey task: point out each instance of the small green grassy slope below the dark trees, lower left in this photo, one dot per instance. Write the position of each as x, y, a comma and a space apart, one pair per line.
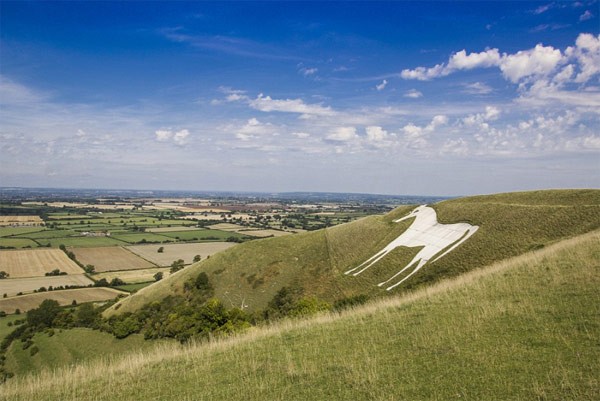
67, 347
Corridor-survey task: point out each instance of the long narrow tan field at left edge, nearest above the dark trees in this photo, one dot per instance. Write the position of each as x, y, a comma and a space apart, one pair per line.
64, 297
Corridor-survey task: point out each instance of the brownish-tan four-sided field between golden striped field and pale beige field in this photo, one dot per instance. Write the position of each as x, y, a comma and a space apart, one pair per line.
110, 258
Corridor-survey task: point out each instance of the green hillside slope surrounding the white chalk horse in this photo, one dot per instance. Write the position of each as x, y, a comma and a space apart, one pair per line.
313, 263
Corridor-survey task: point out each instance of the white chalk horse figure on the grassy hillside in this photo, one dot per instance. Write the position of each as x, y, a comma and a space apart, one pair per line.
425, 231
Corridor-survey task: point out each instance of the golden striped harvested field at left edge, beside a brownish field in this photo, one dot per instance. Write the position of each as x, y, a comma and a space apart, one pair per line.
36, 262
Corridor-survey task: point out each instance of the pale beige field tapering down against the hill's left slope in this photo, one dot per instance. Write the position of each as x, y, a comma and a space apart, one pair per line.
173, 252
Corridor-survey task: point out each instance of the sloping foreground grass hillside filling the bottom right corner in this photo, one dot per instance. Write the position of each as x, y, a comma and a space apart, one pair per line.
521, 329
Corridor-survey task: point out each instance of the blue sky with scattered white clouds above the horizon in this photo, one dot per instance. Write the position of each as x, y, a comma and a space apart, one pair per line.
428, 98
